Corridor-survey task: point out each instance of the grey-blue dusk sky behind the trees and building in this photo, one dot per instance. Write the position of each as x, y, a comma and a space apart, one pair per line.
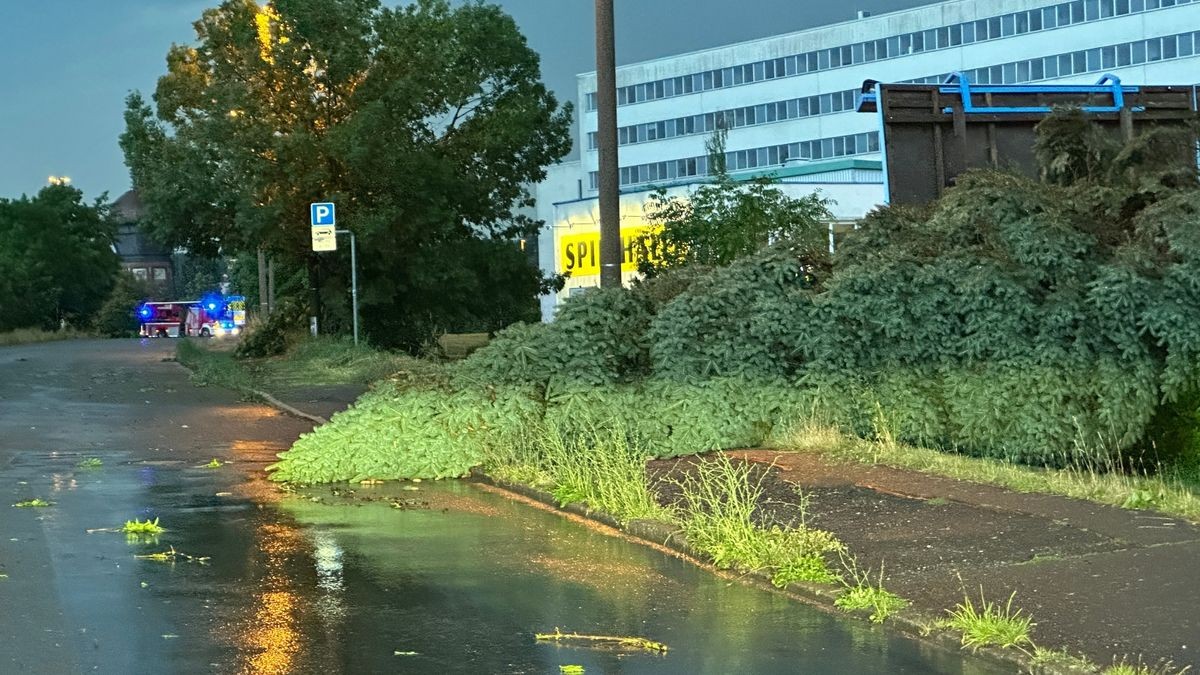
68, 65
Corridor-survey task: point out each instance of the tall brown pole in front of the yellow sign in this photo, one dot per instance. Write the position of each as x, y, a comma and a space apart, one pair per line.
607, 141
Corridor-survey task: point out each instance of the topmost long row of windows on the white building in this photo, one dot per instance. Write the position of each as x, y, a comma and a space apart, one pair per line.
1005, 26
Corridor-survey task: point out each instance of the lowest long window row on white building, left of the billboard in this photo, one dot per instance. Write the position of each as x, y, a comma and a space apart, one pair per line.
743, 160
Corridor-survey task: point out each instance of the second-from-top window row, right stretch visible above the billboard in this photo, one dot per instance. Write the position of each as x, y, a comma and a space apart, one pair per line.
1083, 62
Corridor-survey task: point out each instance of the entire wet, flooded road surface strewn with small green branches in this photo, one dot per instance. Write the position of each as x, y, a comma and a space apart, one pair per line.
427, 578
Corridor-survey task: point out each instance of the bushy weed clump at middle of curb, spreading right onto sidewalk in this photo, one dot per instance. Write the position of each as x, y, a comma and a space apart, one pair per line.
716, 511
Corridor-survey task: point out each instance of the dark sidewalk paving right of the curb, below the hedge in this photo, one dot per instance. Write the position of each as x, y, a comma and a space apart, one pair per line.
1105, 582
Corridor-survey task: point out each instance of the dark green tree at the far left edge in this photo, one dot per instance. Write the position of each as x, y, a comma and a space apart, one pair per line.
57, 260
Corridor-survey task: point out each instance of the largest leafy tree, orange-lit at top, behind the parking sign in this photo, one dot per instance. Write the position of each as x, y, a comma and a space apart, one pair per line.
425, 124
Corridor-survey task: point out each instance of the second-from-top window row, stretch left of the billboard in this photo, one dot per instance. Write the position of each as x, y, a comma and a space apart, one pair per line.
736, 118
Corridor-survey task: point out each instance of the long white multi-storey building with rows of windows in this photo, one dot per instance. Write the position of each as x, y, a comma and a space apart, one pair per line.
789, 101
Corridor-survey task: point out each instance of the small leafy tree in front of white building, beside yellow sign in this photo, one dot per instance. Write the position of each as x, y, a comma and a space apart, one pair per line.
727, 219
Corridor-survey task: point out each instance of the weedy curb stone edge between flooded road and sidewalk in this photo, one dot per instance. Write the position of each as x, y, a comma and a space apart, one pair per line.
914, 624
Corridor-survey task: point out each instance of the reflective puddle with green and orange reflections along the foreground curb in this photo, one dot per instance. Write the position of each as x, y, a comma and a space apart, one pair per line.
459, 582
